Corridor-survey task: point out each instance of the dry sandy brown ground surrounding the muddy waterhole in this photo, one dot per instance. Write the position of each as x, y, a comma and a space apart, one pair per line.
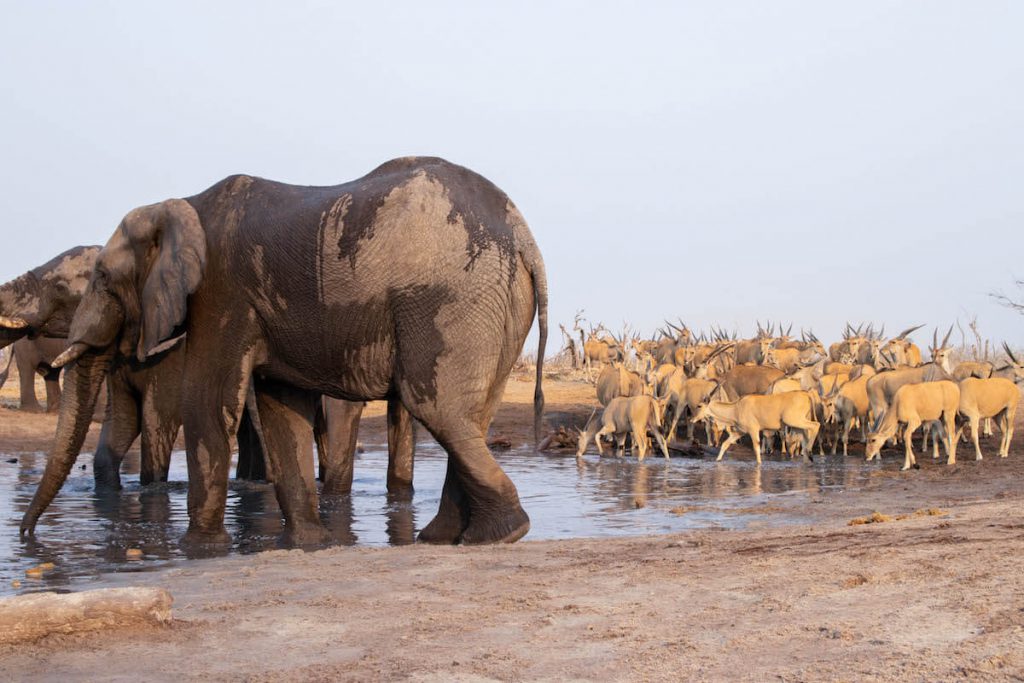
934, 595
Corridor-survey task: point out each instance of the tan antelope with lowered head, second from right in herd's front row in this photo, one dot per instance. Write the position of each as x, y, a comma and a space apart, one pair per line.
915, 405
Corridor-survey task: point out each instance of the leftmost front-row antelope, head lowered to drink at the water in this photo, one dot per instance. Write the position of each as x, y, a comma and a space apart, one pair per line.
634, 416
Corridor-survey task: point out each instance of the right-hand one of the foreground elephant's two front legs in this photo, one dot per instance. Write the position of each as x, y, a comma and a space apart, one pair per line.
287, 415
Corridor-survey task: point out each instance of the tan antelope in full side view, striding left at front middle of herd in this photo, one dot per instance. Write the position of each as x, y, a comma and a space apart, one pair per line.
754, 414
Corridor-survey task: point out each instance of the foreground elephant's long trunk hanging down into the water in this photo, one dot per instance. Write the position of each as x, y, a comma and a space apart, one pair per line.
82, 383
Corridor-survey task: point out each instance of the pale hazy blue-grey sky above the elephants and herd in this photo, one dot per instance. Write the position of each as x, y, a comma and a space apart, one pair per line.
719, 161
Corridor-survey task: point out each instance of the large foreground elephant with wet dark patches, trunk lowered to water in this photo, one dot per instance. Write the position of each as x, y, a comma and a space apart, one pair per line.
417, 283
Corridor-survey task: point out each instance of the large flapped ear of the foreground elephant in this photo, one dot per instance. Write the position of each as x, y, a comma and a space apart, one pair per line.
177, 273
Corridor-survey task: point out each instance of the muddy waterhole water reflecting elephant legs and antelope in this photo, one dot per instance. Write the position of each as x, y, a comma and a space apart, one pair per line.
84, 535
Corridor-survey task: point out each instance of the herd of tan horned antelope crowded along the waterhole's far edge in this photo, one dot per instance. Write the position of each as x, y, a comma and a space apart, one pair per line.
797, 392
